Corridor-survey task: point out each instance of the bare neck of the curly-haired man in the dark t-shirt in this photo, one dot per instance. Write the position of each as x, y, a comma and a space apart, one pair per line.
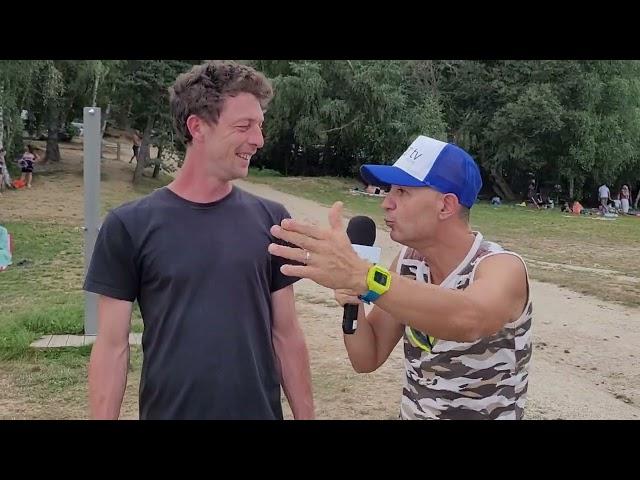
194, 183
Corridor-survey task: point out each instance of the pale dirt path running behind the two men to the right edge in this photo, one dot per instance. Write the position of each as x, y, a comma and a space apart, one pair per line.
585, 363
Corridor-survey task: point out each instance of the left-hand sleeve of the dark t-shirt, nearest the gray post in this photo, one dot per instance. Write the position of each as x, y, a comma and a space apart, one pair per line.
113, 271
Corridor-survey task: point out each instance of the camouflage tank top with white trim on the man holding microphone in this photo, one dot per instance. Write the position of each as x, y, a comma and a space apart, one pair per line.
485, 379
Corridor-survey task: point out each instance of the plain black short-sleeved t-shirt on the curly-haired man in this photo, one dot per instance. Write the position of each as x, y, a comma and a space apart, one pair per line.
203, 278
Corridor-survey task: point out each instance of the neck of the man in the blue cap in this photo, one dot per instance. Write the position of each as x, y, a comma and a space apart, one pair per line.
446, 253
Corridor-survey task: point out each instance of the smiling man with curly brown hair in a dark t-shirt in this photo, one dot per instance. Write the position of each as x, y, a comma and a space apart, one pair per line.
221, 335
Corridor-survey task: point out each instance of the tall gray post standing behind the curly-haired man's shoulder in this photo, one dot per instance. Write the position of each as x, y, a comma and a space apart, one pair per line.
92, 141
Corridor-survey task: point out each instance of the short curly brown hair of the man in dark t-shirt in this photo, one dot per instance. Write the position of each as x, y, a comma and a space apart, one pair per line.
203, 90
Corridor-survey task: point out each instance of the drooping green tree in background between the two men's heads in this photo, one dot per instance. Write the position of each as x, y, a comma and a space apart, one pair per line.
329, 117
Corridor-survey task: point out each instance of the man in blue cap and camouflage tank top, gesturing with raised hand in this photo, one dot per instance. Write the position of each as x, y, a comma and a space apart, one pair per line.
460, 303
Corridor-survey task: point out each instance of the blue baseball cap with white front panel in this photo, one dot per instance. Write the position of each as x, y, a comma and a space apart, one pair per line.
430, 163
